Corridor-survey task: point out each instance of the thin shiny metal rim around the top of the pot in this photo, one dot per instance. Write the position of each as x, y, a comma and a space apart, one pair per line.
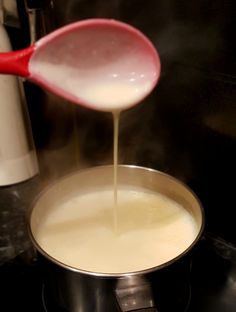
114, 275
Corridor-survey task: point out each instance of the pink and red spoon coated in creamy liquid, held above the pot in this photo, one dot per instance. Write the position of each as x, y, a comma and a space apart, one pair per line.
98, 63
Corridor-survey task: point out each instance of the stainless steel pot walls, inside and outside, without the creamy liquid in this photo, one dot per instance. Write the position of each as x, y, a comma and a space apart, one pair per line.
71, 289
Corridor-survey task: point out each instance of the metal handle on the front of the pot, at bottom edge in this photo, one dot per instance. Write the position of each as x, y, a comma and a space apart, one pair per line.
134, 293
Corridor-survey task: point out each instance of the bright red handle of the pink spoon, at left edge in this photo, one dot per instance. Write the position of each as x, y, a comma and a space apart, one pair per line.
16, 62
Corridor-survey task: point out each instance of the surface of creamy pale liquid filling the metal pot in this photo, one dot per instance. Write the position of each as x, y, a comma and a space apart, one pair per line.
152, 230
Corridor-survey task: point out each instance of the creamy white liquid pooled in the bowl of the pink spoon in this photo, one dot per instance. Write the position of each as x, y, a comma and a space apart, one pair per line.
102, 92
